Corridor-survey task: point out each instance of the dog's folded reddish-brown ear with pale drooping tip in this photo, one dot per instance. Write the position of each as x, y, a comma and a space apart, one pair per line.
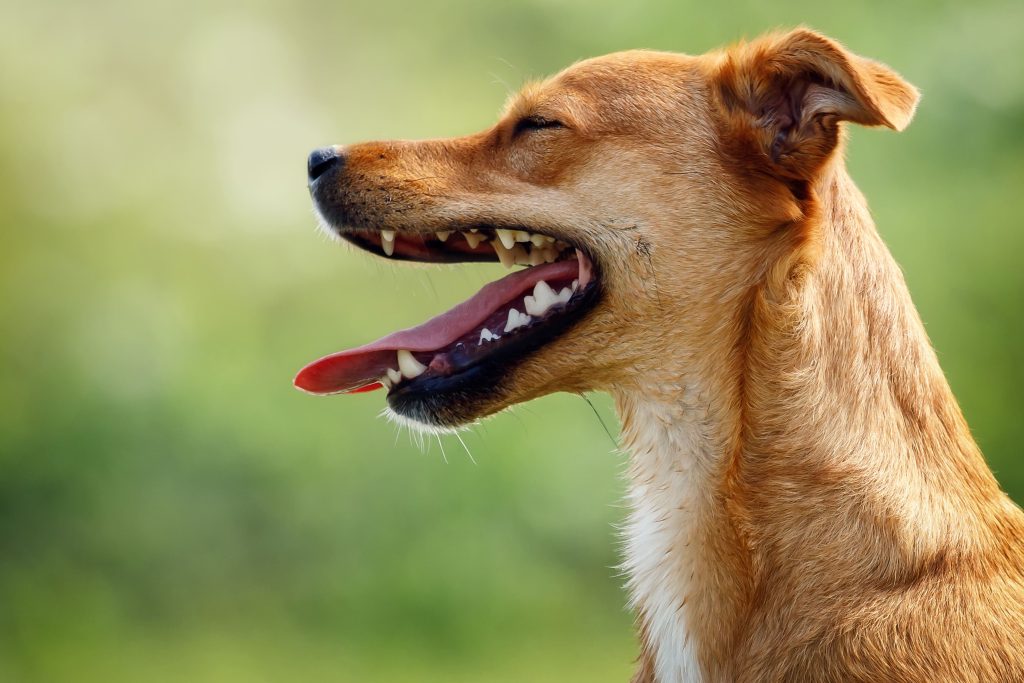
785, 96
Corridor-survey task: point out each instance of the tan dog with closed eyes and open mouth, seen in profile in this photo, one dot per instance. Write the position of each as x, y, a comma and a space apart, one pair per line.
807, 503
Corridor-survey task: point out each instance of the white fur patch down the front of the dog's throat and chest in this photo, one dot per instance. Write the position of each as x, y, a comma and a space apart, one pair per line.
669, 464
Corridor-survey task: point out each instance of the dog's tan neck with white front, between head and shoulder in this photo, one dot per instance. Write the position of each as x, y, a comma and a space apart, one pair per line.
820, 456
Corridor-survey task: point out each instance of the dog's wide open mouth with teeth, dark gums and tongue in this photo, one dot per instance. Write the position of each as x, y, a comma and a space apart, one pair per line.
479, 339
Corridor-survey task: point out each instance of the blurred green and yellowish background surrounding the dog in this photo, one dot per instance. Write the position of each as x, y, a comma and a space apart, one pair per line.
173, 510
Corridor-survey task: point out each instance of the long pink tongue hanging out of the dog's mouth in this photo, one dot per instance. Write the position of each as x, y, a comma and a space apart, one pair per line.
360, 369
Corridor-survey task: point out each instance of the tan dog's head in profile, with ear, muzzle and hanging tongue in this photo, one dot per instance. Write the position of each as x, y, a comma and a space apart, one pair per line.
645, 192
